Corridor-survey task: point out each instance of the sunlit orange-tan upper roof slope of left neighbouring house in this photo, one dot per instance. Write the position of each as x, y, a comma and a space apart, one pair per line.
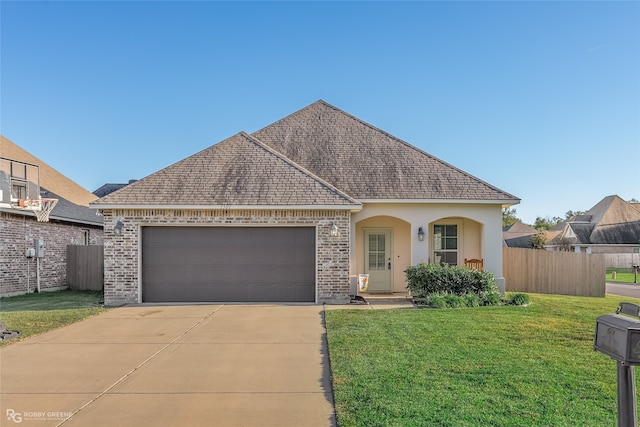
50, 178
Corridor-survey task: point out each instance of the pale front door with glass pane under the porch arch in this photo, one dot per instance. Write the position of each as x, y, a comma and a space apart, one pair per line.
377, 258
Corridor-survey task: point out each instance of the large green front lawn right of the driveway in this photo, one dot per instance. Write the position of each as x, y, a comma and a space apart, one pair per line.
486, 366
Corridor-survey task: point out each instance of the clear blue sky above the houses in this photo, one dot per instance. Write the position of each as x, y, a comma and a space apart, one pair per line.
540, 99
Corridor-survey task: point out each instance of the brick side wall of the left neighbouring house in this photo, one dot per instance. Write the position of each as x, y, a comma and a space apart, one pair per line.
19, 232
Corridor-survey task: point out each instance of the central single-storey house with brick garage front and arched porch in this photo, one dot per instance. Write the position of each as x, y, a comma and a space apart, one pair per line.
293, 212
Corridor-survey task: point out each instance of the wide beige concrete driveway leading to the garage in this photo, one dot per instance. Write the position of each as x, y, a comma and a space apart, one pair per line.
198, 365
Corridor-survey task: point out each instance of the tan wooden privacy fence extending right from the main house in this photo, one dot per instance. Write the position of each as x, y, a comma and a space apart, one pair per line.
546, 272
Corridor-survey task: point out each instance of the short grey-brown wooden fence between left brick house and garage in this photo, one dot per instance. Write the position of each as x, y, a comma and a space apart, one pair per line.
85, 267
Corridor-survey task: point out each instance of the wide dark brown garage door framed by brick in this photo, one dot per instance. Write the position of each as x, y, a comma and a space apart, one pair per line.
228, 264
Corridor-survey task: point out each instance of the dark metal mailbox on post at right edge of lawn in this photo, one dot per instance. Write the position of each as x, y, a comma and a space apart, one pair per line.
619, 336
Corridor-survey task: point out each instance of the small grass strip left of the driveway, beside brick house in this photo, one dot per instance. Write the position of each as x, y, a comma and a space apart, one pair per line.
34, 314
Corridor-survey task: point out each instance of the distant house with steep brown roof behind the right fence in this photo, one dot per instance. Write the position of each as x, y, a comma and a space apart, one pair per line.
611, 226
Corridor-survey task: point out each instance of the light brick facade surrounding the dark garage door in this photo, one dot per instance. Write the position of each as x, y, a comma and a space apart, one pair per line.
121, 251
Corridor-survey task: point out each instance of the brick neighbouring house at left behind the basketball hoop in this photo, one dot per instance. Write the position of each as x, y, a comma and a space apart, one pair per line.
24, 180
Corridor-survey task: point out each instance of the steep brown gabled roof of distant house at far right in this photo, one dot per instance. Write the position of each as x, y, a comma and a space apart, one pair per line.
610, 221
